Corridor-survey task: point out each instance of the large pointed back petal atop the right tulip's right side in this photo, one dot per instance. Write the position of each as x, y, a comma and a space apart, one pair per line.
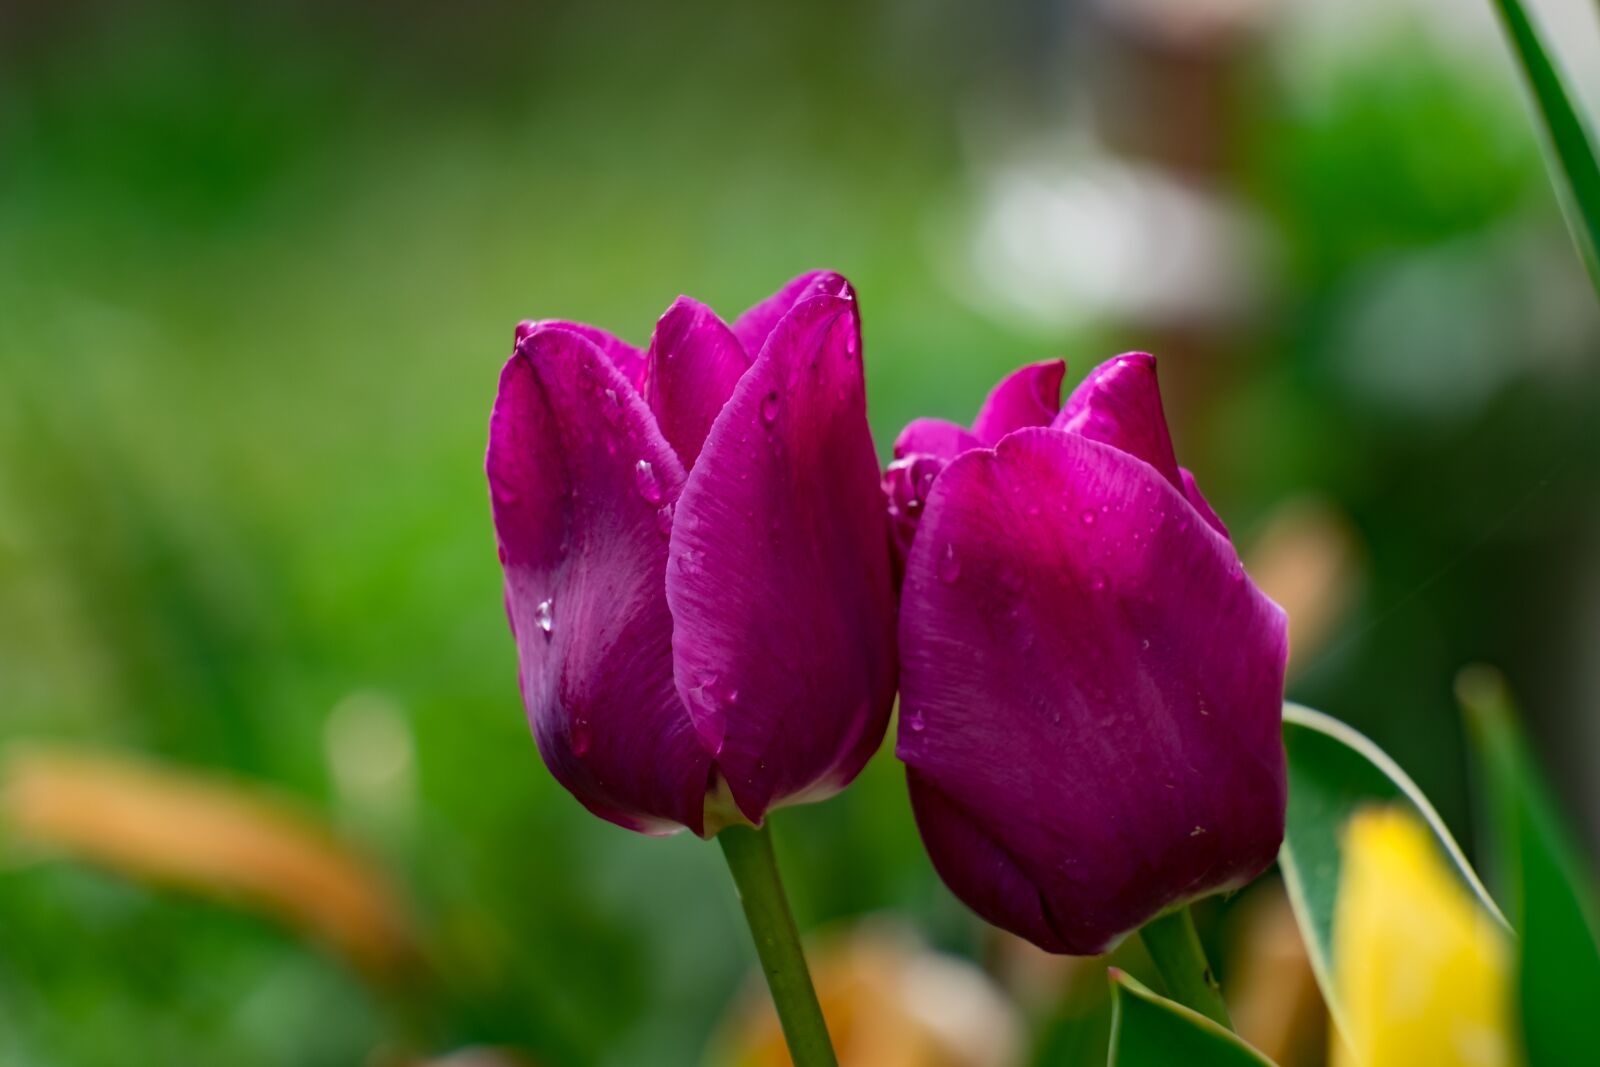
1121, 404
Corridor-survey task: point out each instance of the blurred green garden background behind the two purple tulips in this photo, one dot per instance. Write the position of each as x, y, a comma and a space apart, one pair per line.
258, 273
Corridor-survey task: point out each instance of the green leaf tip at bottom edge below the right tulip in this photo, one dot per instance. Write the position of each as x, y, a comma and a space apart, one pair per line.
1150, 1031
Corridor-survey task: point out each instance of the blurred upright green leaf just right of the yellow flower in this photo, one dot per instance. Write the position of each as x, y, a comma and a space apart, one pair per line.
1542, 877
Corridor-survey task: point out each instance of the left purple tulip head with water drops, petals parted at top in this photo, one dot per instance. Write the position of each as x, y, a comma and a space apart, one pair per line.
697, 557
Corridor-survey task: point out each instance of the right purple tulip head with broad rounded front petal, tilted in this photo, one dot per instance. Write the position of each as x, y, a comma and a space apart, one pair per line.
1092, 687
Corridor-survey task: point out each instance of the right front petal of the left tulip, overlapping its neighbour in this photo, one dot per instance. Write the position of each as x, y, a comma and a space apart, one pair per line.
780, 575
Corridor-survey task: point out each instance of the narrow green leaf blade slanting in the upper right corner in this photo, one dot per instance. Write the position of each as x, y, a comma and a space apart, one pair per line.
1569, 148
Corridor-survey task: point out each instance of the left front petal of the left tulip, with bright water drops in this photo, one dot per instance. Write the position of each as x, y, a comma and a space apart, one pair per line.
583, 486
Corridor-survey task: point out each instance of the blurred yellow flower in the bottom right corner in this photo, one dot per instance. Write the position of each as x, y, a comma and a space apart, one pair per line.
1423, 972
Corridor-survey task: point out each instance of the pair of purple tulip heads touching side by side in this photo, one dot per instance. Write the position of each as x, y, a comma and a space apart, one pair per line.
714, 599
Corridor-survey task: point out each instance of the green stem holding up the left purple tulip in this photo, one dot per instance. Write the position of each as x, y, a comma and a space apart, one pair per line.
750, 855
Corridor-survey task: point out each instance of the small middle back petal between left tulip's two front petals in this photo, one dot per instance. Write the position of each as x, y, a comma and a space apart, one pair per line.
695, 362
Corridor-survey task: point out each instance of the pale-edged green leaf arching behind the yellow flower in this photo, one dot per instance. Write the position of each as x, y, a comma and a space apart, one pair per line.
1334, 773
